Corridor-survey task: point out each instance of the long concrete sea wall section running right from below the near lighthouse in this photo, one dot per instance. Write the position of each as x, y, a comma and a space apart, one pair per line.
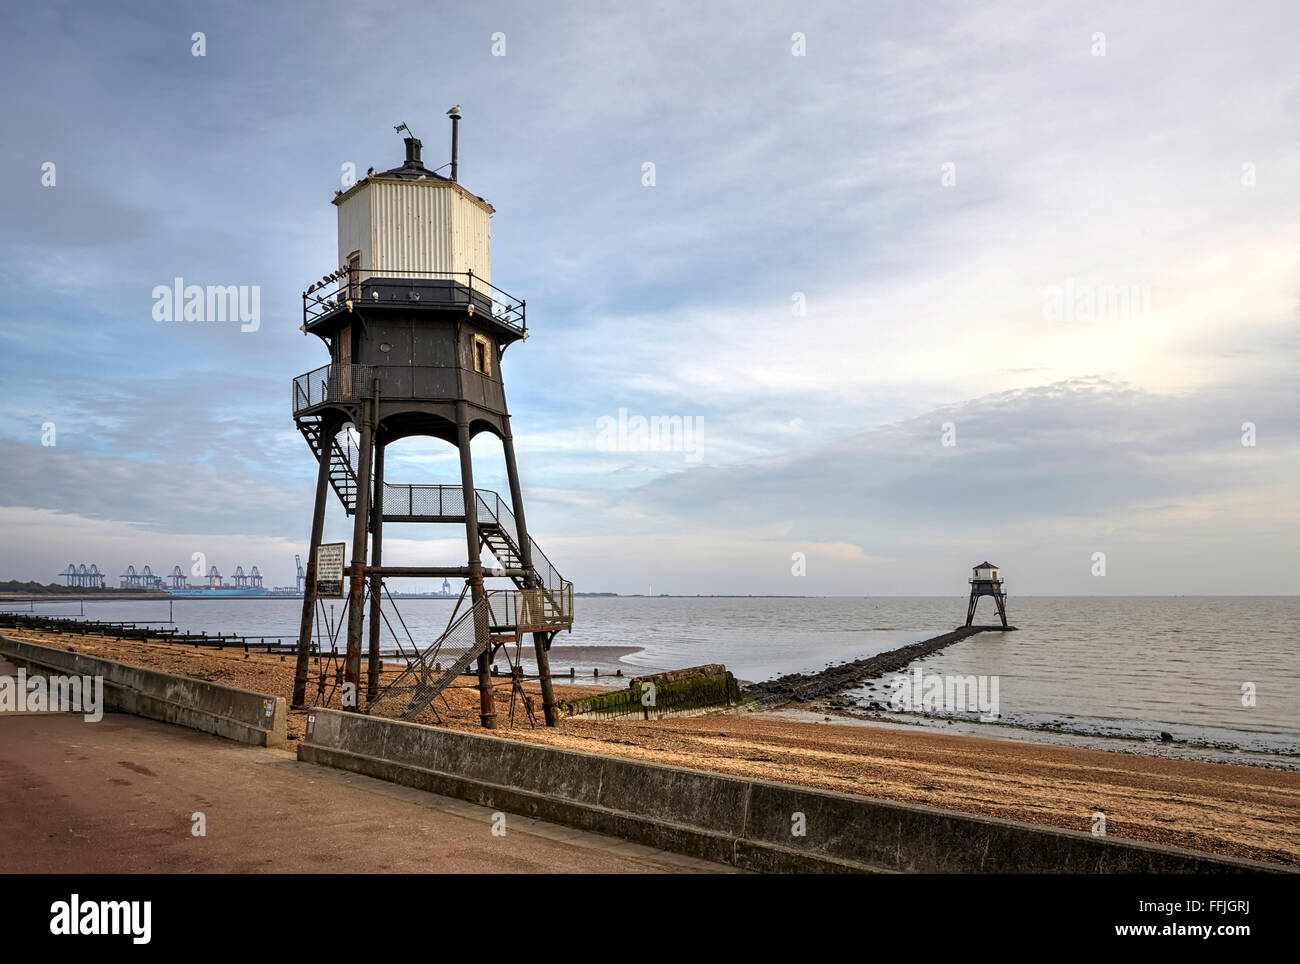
749, 824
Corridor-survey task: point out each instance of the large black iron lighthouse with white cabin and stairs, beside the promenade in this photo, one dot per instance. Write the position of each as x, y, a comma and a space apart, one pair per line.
417, 332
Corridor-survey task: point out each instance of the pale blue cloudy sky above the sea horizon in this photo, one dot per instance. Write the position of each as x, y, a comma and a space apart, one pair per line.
930, 284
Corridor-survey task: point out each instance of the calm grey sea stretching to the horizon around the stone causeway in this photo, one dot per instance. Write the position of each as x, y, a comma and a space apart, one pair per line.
1104, 667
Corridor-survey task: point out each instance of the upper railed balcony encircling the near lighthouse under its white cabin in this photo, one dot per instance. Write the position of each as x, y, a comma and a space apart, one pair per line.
359, 289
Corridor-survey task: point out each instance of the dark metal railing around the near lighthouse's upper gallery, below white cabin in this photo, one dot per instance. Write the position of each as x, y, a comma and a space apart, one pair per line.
362, 285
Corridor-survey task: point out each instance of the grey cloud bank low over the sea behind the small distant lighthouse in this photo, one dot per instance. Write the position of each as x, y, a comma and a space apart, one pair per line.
1043, 477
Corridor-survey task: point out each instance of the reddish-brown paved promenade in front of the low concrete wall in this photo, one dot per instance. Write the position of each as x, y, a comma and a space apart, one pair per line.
119, 796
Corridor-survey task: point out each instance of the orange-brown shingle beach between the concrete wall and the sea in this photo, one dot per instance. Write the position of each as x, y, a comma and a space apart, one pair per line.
1237, 811
